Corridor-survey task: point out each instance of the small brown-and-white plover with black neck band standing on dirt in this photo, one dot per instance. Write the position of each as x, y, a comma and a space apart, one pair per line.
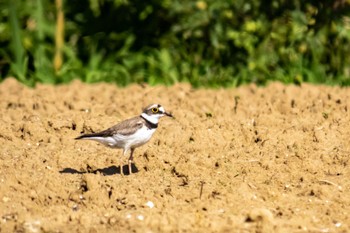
131, 133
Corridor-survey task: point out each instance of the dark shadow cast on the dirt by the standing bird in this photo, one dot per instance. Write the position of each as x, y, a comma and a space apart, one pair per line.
107, 171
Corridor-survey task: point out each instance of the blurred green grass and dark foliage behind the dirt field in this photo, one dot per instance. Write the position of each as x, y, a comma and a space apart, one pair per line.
209, 43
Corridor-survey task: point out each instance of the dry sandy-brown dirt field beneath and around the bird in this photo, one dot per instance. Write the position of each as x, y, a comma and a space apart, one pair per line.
251, 159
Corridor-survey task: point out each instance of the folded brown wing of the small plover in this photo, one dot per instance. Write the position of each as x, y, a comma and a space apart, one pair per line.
125, 128
